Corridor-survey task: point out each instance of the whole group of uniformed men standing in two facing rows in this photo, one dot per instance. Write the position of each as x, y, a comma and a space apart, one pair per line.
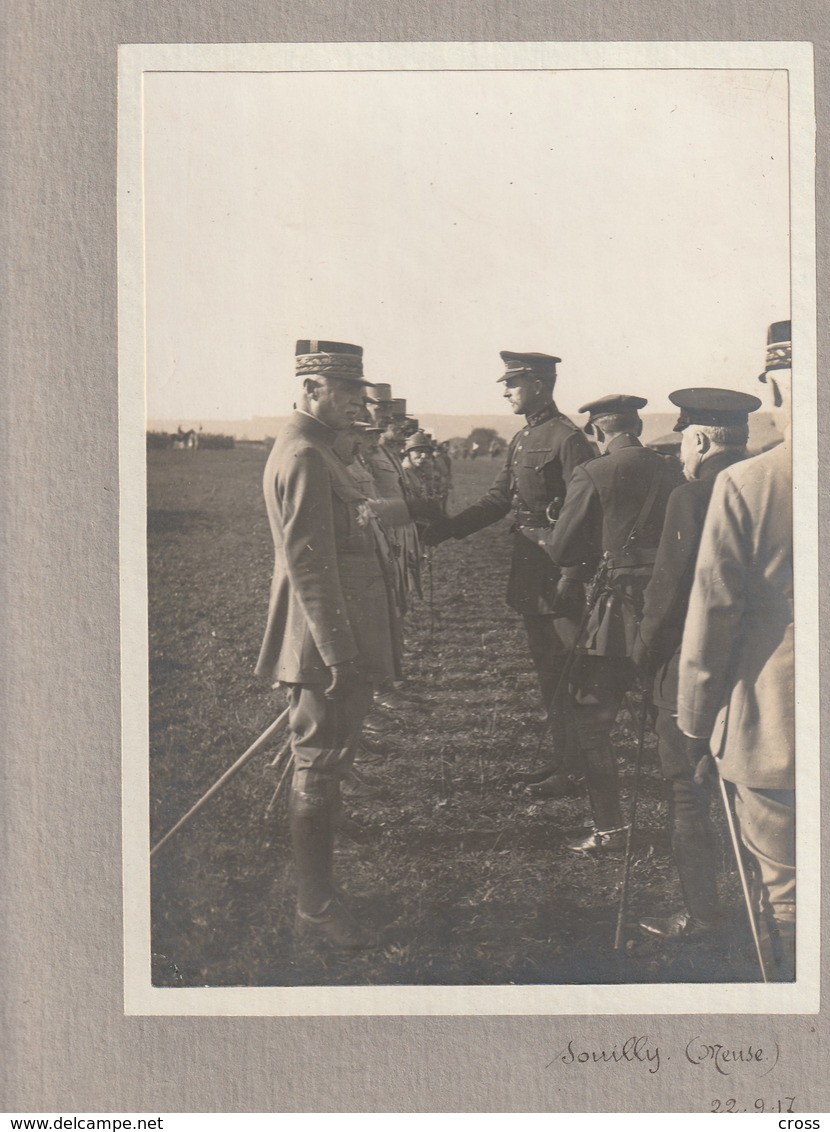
605, 568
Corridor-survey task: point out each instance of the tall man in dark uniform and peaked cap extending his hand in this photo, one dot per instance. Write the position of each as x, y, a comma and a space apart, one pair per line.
532, 487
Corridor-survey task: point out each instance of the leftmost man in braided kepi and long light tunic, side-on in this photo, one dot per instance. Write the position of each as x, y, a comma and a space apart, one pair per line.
328, 637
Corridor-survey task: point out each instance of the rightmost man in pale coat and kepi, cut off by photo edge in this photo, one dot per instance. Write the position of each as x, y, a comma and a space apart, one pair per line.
737, 696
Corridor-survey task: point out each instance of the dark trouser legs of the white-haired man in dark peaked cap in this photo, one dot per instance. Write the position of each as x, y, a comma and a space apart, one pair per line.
690, 827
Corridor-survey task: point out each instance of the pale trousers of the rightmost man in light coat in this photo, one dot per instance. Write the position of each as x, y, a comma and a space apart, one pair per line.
767, 820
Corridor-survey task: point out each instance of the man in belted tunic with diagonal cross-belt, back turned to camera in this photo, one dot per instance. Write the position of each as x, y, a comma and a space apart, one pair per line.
613, 514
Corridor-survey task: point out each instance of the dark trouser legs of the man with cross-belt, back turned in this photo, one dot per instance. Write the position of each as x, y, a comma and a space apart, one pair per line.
600, 687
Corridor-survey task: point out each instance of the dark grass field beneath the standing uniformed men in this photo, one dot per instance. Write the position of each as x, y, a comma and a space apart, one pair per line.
466, 879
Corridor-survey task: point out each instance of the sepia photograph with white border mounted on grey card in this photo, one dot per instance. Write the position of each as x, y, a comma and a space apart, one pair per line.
469, 612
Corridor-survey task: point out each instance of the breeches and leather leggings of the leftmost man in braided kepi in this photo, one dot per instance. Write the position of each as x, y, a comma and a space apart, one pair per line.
324, 735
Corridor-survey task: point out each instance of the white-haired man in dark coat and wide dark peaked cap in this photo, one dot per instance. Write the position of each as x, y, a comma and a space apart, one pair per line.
714, 425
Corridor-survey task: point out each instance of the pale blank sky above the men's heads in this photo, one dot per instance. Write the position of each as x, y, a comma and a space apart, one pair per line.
636, 224
